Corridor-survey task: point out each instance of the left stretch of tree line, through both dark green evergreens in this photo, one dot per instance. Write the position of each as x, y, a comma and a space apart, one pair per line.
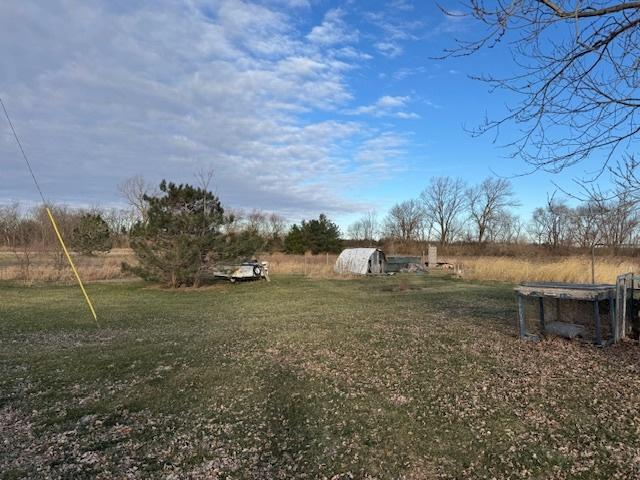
179, 233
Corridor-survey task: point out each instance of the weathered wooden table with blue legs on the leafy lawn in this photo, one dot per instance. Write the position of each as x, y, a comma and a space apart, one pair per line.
567, 291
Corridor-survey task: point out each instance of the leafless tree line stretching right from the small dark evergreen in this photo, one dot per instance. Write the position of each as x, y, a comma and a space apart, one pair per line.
448, 210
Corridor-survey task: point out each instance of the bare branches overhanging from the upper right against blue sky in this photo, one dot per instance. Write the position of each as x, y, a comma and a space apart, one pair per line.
576, 75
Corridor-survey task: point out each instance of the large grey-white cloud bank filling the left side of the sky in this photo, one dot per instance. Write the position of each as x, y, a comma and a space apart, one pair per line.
105, 90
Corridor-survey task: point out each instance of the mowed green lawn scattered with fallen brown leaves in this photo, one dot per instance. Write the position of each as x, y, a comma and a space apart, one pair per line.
412, 377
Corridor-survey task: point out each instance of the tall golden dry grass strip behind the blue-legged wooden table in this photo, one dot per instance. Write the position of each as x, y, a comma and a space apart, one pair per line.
575, 269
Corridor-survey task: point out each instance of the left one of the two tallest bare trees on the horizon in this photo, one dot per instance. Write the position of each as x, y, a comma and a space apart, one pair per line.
444, 201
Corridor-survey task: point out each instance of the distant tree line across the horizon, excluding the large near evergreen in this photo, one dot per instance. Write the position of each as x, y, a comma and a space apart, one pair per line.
461, 218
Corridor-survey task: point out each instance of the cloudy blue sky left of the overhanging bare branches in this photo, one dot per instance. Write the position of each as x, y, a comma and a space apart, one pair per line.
298, 106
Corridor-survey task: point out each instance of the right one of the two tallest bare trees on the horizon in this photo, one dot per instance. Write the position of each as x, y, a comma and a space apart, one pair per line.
487, 203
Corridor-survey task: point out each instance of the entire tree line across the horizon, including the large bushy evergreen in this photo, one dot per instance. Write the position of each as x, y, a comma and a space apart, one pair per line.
178, 232
